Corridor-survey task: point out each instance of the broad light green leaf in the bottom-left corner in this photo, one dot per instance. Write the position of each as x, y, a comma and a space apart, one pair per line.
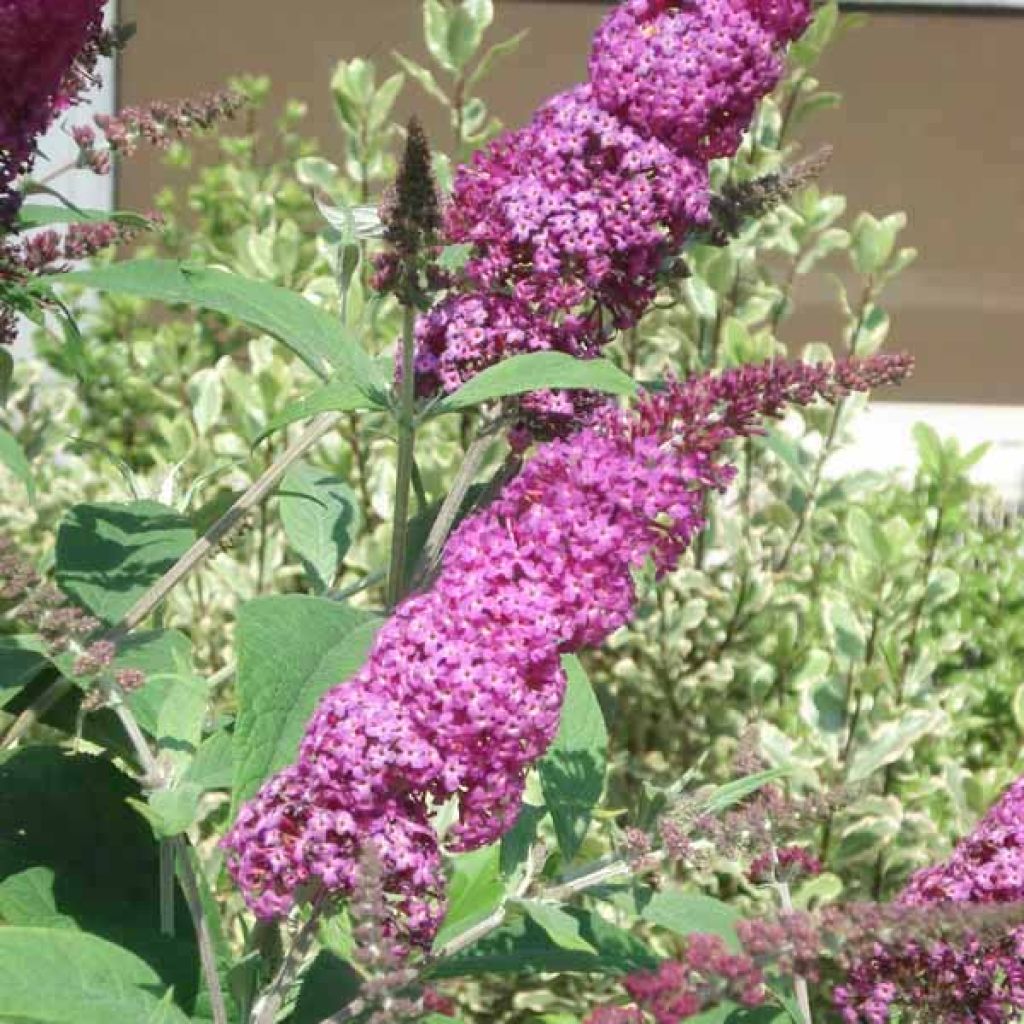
57, 976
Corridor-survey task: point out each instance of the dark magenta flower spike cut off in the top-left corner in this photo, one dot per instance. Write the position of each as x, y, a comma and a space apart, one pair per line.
48, 53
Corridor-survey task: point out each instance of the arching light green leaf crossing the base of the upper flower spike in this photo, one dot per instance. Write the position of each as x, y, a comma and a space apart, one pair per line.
539, 371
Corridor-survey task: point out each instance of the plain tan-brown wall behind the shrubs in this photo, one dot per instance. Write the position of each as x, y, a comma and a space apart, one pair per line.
931, 124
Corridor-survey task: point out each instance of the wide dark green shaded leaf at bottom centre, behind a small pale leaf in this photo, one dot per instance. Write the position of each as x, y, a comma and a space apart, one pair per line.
523, 947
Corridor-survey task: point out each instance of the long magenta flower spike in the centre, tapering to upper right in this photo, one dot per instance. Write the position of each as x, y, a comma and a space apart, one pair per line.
462, 691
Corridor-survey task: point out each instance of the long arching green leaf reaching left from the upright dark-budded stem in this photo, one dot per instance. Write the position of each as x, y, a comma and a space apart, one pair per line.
316, 336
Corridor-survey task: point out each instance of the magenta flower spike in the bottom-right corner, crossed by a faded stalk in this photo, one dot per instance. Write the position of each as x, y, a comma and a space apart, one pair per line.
977, 980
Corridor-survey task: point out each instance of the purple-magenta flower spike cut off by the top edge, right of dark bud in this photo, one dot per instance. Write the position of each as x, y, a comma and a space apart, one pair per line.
576, 219
